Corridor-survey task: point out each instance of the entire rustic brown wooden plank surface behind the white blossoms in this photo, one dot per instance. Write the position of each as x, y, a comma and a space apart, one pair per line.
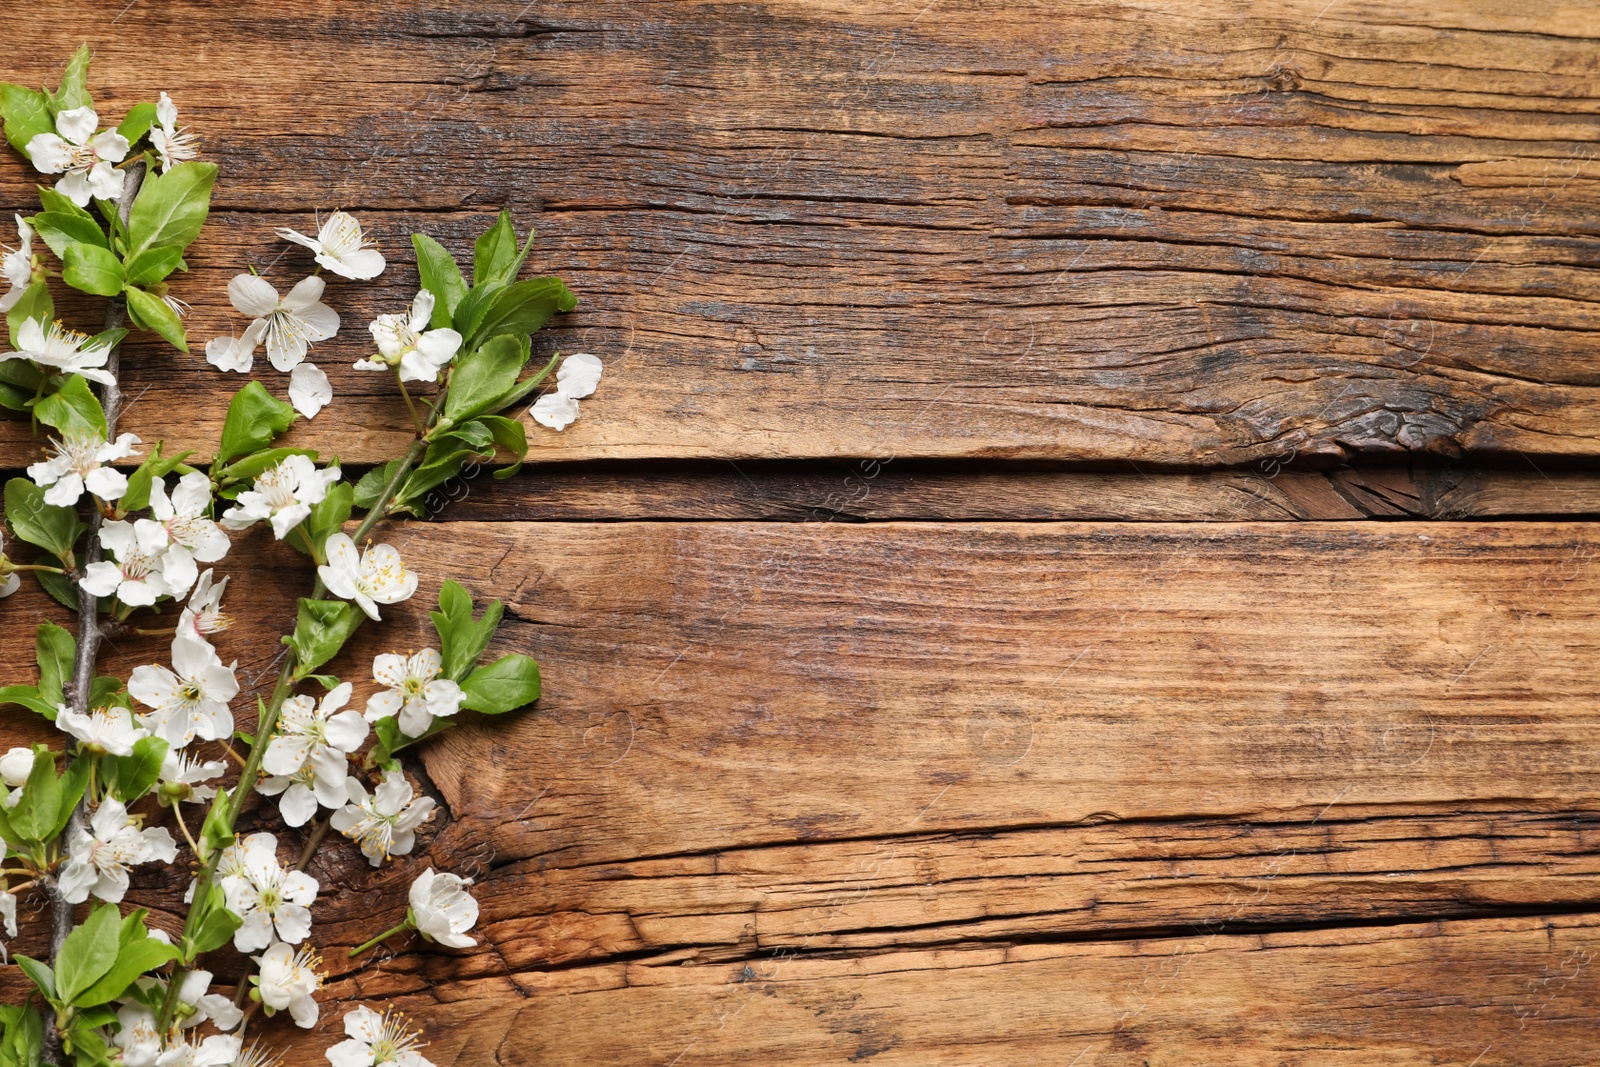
1081, 556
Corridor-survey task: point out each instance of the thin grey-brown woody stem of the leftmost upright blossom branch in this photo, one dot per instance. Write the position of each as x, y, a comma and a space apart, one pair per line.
90, 629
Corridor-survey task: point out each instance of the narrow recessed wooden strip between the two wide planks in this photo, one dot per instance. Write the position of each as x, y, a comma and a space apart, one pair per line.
870, 490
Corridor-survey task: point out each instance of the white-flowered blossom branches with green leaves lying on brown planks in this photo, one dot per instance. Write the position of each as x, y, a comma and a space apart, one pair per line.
154, 769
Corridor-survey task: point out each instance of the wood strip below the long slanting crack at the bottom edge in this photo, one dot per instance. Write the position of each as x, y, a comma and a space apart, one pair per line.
1502, 993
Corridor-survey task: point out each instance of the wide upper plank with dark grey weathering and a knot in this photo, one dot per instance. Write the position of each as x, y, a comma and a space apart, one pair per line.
1194, 234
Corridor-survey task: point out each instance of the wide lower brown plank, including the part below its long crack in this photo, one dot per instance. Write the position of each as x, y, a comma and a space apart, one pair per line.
897, 780
